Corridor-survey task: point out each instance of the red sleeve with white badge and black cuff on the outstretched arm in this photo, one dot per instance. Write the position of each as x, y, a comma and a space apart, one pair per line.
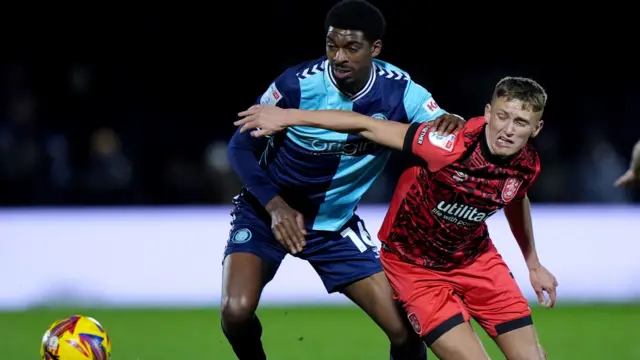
438, 151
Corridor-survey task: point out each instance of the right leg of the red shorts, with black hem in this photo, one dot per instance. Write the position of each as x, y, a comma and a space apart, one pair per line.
493, 297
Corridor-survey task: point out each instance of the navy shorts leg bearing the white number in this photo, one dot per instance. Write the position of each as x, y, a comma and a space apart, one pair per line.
343, 257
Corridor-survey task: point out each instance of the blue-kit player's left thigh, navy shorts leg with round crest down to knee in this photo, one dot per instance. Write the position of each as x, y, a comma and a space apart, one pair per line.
251, 258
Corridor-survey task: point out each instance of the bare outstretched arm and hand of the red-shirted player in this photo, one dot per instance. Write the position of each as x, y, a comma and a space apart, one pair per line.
267, 120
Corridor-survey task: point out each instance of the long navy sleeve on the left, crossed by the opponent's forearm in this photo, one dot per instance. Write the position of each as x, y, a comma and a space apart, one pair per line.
245, 151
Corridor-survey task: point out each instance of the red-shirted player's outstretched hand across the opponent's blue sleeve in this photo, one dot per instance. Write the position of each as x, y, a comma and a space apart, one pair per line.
263, 120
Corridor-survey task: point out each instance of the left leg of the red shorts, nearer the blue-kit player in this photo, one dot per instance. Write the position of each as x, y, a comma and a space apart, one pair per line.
427, 297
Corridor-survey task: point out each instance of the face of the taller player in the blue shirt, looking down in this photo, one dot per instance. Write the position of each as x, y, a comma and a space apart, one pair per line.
350, 55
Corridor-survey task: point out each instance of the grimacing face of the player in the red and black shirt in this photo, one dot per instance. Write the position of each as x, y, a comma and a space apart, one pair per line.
510, 125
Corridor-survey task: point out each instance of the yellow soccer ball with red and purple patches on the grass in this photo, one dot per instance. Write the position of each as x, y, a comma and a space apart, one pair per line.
75, 338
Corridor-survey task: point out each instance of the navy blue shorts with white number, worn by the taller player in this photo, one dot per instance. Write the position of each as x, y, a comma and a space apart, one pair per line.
340, 258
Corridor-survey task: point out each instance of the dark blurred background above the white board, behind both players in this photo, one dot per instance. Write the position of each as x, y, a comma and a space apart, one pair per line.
116, 106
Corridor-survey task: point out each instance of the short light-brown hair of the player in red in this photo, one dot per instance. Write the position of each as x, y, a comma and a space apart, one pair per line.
524, 89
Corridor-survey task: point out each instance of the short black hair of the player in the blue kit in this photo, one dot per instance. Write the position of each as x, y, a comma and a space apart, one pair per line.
357, 15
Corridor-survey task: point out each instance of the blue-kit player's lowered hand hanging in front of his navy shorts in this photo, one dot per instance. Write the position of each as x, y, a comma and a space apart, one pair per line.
287, 225
